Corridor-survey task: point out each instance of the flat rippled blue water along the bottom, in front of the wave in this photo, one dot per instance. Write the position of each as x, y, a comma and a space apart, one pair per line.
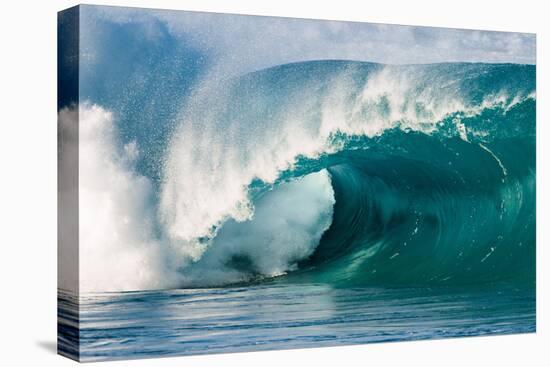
281, 316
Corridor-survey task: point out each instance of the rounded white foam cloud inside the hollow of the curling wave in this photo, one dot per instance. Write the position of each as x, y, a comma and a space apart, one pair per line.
286, 227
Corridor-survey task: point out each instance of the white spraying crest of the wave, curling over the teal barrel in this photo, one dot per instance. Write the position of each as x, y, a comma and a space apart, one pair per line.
255, 127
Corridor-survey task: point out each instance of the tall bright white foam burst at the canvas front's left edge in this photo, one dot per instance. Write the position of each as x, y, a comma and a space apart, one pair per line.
117, 248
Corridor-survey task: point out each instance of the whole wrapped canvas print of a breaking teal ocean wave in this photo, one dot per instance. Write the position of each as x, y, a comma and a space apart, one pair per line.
232, 183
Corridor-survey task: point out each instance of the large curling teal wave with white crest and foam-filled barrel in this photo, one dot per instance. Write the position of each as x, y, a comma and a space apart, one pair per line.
351, 173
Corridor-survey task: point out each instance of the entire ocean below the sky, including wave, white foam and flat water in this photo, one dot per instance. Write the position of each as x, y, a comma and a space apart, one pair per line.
310, 204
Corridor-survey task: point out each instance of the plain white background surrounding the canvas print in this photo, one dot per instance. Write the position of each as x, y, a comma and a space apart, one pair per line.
28, 182
